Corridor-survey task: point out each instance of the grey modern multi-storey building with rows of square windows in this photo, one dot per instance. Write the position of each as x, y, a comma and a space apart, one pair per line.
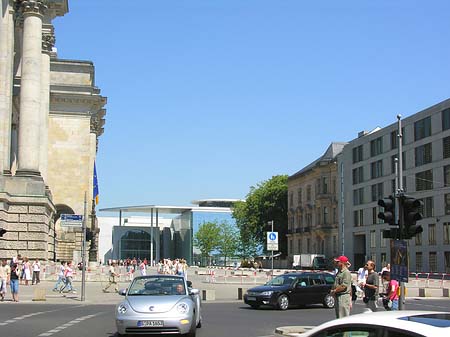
367, 166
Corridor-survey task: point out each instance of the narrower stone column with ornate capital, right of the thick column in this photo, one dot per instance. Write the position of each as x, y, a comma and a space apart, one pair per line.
48, 41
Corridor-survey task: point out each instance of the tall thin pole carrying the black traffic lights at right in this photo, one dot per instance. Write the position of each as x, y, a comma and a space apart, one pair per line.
399, 195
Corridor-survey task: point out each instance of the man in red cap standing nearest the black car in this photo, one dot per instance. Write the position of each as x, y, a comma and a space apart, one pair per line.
342, 288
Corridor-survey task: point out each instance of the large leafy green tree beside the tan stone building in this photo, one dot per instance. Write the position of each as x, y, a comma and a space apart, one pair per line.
265, 202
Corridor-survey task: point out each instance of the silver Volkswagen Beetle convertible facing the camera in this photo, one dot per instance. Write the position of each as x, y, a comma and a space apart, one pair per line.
159, 304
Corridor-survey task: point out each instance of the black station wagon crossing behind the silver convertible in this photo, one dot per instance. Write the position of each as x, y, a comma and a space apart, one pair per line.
301, 288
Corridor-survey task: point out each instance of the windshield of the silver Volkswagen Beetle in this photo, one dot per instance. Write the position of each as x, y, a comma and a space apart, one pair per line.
157, 286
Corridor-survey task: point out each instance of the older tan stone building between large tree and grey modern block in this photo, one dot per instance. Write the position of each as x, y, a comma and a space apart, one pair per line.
313, 206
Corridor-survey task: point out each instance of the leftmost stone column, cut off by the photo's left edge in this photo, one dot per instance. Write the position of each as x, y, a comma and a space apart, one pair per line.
6, 76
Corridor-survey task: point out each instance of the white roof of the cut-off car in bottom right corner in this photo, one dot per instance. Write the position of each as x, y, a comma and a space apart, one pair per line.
391, 319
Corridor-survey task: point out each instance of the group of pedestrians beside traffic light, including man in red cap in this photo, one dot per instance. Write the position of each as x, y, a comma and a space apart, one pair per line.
367, 286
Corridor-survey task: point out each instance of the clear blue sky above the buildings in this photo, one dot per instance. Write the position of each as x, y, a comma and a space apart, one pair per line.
209, 97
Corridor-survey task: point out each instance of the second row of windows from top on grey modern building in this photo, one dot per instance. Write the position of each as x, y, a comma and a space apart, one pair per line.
422, 154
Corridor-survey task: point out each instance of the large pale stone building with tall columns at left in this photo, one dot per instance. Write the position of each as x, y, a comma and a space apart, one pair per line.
51, 115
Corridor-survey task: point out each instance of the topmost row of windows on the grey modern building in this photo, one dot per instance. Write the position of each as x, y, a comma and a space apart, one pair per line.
422, 129
